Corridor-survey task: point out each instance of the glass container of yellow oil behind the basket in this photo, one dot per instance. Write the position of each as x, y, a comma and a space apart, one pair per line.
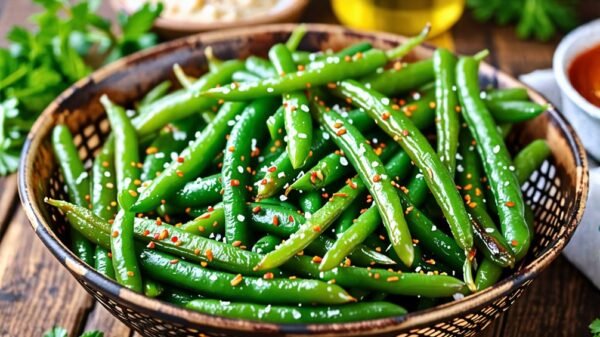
405, 17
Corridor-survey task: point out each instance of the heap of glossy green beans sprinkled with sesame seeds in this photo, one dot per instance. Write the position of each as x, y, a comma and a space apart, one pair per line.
309, 187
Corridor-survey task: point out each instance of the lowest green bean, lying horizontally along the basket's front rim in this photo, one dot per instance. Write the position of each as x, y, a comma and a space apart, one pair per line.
295, 315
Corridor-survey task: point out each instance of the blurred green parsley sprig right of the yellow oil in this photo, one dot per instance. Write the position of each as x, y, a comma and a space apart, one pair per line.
540, 19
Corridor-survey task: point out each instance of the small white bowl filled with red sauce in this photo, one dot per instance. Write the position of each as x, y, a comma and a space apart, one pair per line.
577, 70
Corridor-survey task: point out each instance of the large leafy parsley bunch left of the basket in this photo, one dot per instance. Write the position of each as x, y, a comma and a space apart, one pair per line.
69, 41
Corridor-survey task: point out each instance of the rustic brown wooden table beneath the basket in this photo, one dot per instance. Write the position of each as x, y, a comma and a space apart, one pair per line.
37, 293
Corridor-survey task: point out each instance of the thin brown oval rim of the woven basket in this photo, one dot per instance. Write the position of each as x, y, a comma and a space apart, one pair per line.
167, 311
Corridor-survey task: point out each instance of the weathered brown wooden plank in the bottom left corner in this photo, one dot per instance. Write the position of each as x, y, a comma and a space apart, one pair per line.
36, 292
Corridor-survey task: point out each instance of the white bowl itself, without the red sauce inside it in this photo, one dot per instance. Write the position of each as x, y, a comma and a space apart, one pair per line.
584, 116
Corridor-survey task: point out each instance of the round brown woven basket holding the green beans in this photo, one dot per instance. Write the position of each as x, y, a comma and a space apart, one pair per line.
557, 191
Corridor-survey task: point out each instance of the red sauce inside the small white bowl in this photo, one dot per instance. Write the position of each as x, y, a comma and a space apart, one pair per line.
584, 73
